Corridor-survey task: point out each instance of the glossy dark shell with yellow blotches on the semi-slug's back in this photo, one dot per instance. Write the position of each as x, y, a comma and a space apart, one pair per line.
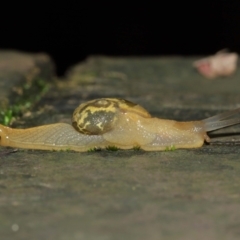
100, 116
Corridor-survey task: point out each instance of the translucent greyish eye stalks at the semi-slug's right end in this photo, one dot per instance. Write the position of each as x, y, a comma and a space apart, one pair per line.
222, 120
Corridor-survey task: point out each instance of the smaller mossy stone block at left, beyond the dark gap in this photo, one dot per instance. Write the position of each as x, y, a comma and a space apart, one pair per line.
18, 69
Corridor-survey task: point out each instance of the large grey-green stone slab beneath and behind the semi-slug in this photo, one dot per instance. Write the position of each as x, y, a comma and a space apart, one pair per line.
181, 194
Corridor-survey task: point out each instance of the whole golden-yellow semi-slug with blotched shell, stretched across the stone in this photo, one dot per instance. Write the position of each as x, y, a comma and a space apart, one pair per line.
115, 122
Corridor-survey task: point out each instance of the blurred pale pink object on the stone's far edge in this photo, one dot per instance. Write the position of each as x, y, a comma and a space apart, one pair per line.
222, 63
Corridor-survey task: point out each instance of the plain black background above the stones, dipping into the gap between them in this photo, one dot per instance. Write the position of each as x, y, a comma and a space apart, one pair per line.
71, 31
